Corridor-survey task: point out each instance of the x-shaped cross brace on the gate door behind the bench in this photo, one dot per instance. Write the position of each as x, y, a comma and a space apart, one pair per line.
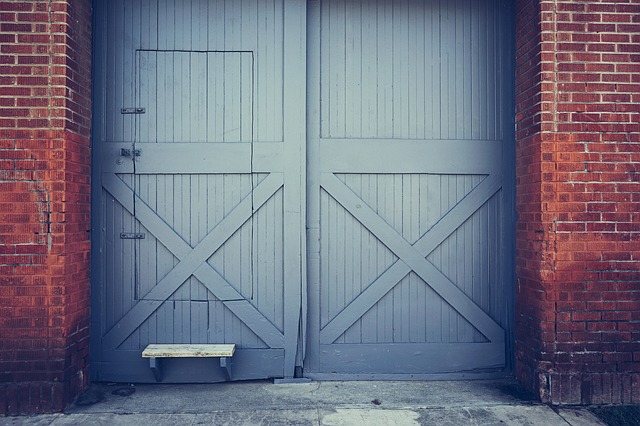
193, 261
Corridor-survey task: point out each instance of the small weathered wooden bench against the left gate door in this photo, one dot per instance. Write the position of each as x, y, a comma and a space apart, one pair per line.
155, 353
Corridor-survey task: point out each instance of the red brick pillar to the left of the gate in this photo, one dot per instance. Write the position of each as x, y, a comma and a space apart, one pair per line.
45, 110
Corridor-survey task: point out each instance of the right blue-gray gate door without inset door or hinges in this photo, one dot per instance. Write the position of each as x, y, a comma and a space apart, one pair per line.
409, 215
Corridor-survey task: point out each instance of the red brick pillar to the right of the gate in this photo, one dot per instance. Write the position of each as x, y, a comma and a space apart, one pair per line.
578, 200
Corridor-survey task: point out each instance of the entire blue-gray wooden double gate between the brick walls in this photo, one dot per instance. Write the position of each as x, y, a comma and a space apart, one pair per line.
325, 184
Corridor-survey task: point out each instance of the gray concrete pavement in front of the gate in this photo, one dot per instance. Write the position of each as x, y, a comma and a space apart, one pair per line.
485, 402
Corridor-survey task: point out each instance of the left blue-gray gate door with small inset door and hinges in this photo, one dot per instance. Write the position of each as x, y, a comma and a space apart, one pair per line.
200, 147
